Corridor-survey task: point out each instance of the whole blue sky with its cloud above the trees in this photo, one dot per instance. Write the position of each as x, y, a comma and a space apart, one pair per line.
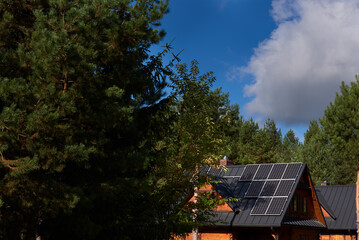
279, 59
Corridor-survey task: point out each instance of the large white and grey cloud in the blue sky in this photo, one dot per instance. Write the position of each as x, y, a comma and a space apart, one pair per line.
300, 67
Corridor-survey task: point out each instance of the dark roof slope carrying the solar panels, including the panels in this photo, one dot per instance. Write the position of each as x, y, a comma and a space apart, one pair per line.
264, 192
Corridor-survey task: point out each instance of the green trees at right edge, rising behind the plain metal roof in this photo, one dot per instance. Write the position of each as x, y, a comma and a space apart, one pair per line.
331, 148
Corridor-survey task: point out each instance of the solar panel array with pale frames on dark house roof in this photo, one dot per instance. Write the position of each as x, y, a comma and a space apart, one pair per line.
270, 185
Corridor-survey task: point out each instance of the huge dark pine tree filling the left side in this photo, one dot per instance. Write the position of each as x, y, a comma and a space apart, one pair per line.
77, 89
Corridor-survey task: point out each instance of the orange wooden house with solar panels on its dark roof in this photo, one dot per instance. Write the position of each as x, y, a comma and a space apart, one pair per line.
266, 201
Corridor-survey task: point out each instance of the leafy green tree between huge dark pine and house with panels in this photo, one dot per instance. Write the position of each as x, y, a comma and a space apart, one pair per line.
195, 139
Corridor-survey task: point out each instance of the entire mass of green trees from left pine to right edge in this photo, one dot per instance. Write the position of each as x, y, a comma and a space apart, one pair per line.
92, 146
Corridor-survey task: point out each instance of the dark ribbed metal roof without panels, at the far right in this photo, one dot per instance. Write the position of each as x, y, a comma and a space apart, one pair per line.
340, 202
